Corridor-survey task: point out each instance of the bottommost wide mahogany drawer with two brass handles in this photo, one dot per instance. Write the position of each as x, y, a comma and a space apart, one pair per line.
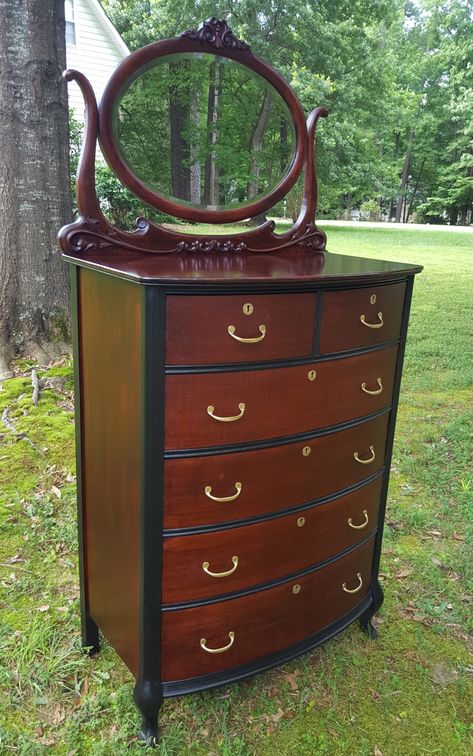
262, 623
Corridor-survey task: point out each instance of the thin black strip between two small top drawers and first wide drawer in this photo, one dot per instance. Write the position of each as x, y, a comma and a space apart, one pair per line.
231, 367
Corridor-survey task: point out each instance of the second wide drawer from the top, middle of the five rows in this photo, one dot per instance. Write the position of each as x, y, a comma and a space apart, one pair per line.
218, 488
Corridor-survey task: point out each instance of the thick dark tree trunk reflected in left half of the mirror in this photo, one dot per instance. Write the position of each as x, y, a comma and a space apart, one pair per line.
179, 115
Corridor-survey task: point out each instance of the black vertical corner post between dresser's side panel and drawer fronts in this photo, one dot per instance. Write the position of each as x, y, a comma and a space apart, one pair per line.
152, 476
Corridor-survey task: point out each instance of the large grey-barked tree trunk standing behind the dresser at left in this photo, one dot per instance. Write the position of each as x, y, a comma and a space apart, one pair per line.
34, 180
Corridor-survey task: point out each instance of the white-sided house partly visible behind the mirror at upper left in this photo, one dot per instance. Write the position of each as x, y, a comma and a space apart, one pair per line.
93, 46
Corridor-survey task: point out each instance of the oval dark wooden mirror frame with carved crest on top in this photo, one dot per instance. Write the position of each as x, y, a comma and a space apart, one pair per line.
215, 38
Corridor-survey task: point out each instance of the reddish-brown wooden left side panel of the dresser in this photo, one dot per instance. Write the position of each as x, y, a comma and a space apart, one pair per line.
110, 325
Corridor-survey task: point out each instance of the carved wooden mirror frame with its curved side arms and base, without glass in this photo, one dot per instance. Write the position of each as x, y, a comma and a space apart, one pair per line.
92, 231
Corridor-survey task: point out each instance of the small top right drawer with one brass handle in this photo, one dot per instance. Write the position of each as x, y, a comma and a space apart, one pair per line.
361, 317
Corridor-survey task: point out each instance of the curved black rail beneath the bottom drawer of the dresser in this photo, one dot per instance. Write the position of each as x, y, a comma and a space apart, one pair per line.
204, 682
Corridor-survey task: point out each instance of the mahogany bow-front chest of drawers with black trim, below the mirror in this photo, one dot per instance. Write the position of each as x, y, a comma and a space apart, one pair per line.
235, 421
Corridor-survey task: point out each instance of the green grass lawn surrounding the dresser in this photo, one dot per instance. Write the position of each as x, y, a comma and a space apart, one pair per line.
409, 692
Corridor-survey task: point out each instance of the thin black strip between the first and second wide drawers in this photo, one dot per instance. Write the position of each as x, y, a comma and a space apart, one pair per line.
275, 441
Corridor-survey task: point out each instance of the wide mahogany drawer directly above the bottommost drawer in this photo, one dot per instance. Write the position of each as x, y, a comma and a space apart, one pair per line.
225, 561
